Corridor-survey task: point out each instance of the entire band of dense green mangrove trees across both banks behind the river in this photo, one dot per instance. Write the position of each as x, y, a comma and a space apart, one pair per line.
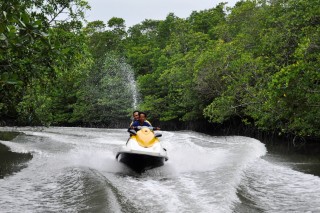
257, 62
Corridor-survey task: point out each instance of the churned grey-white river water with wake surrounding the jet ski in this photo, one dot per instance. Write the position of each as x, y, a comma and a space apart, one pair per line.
74, 170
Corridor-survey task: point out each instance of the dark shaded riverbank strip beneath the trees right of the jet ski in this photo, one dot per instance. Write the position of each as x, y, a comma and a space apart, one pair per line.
287, 143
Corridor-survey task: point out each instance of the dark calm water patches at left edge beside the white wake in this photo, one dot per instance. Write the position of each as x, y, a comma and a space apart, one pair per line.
11, 162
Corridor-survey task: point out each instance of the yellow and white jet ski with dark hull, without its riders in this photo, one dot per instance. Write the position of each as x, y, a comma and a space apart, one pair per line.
143, 150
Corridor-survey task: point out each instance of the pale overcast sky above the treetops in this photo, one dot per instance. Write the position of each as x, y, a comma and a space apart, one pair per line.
135, 11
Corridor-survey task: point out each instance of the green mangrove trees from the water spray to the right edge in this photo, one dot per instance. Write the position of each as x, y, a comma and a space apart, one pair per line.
259, 62
